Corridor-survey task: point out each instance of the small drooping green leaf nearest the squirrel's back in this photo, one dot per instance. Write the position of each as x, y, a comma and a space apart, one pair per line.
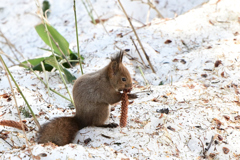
67, 75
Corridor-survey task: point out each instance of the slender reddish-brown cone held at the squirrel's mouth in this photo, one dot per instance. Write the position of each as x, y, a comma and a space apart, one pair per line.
124, 109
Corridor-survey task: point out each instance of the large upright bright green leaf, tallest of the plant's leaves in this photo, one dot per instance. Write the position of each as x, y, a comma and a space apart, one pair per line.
58, 38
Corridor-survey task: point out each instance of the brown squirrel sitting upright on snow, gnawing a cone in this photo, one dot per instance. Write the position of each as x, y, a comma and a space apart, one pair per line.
92, 95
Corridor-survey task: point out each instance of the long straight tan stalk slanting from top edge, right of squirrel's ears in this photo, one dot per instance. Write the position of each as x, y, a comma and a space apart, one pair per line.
147, 57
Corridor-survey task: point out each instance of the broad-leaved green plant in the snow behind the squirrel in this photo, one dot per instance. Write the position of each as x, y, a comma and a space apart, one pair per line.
65, 57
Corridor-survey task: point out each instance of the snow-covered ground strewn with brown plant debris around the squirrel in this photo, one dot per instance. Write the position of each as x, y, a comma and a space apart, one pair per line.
203, 97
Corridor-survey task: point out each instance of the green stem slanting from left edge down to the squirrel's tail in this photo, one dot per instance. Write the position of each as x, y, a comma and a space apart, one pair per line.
19, 90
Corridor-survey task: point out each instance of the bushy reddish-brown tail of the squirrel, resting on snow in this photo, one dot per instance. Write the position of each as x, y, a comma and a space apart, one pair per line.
61, 130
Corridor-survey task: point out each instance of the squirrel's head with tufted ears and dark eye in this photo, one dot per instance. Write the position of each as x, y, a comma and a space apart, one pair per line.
119, 76
